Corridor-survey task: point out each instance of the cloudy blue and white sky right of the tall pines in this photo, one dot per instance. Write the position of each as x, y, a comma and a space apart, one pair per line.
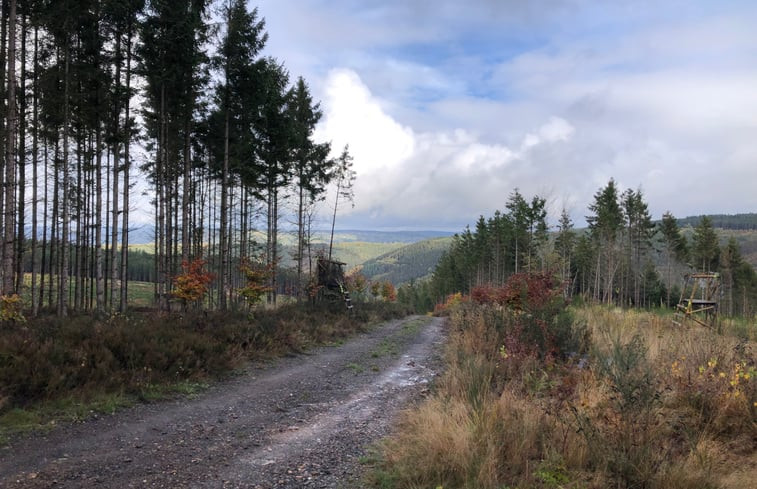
448, 106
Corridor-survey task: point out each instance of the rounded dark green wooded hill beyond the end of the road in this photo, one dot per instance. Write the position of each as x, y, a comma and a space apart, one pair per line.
413, 261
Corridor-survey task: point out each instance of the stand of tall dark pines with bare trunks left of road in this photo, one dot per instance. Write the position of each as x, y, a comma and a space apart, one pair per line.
163, 106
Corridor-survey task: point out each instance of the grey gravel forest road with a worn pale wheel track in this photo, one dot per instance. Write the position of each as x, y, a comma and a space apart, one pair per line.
299, 421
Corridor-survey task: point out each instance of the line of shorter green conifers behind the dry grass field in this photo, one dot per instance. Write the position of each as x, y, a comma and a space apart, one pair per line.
623, 258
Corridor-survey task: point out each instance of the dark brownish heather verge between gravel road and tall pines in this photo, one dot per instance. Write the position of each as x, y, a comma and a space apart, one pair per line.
54, 370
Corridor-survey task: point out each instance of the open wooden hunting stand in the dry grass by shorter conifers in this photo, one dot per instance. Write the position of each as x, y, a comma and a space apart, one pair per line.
699, 300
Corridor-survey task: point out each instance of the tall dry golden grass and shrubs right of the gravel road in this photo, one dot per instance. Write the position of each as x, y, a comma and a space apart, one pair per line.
616, 399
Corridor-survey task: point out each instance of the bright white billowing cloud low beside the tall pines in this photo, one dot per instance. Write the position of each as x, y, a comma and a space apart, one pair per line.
441, 178
